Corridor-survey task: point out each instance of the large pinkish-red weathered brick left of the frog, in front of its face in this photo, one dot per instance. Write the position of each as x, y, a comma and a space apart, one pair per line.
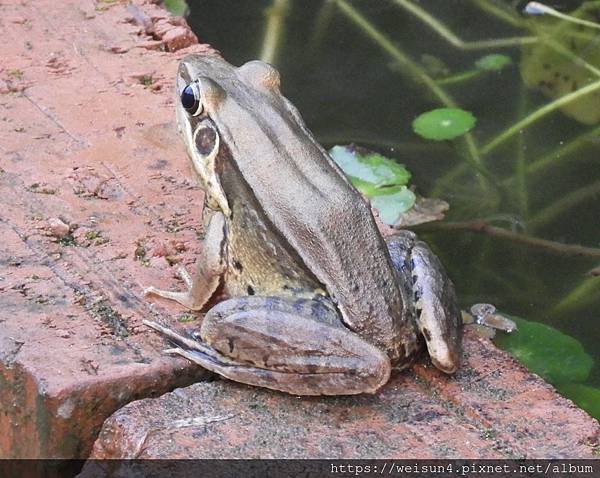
91, 172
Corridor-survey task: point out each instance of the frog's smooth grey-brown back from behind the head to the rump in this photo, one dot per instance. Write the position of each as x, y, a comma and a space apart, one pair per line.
328, 224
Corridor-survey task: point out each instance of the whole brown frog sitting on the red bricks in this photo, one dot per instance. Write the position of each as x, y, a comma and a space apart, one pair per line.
319, 302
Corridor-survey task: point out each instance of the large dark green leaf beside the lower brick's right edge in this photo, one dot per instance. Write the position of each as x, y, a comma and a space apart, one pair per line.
555, 356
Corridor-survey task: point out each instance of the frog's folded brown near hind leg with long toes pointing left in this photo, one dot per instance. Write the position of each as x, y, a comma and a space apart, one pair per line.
295, 346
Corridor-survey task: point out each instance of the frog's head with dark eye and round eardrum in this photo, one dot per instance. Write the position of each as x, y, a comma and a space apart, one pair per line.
217, 103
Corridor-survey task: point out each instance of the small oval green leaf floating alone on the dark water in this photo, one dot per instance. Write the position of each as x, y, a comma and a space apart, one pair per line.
443, 123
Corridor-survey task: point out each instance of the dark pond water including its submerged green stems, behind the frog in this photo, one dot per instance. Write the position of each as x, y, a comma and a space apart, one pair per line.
359, 72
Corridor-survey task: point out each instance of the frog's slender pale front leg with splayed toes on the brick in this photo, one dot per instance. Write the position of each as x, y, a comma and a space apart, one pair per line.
209, 268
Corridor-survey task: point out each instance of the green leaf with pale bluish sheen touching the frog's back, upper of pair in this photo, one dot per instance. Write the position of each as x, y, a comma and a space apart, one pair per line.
372, 168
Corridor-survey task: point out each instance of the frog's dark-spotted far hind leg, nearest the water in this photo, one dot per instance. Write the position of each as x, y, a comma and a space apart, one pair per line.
437, 314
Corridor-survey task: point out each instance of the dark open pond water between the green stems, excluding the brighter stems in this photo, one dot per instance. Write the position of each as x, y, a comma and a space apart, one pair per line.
349, 89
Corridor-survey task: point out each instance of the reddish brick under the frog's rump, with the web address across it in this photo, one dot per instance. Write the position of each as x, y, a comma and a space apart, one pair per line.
493, 408
